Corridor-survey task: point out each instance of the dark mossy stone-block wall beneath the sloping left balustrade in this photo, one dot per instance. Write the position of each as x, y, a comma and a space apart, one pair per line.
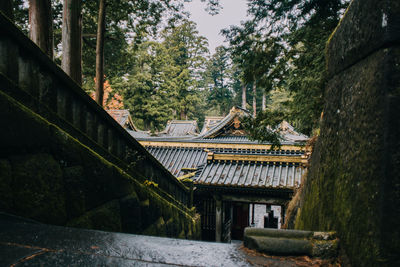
48, 176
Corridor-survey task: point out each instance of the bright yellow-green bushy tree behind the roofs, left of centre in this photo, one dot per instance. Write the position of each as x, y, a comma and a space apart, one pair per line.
149, 87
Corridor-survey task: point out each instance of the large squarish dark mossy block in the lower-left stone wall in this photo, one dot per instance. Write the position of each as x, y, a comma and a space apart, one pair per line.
38, 188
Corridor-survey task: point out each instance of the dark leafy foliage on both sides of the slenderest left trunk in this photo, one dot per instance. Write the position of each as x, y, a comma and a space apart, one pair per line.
126, 22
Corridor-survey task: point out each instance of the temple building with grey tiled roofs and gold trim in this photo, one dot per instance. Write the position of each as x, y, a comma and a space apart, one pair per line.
238, 182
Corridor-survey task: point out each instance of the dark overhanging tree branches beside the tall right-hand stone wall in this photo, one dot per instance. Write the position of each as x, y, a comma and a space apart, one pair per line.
282, 45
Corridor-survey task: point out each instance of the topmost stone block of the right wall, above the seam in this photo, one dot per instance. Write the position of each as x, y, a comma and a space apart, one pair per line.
367, 26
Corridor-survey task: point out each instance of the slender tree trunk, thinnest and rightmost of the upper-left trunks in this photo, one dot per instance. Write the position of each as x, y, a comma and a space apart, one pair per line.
100, 53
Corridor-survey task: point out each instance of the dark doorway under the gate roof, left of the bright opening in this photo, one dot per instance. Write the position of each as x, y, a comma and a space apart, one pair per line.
240, 220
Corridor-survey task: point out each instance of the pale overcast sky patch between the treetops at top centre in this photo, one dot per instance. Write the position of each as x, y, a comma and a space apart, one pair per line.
209, 26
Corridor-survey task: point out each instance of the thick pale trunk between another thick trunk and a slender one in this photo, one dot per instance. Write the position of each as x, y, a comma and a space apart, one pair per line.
72, 40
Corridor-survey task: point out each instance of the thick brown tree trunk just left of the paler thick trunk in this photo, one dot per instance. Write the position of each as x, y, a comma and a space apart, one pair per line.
41, 25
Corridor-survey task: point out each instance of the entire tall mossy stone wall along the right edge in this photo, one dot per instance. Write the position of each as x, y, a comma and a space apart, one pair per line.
353, 185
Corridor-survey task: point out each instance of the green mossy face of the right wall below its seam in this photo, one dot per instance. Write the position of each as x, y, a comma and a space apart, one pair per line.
351, 164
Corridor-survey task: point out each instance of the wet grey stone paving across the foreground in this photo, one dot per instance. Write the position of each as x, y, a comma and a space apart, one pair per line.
26, 243
